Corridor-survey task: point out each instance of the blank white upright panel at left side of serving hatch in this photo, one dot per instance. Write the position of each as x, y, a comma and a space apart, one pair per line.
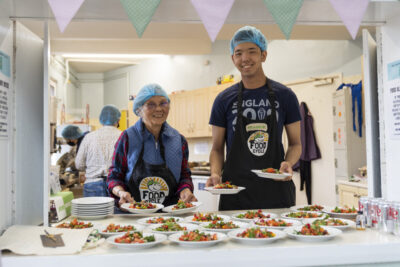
29, 127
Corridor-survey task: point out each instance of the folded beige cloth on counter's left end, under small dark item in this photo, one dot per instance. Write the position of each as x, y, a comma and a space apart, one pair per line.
25, 240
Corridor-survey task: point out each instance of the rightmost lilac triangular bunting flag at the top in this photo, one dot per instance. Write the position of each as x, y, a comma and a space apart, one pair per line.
351, 13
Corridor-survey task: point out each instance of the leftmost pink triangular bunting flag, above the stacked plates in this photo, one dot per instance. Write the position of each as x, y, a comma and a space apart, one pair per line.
64, 11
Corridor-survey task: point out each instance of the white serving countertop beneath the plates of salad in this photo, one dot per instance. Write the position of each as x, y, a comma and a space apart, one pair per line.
352, 247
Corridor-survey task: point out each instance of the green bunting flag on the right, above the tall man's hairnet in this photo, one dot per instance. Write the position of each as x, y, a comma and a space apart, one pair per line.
285, 13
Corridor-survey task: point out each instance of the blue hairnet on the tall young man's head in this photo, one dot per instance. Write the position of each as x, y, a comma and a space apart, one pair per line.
248, 34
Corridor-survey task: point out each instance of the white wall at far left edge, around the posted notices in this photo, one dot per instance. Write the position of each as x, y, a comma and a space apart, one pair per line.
6, 145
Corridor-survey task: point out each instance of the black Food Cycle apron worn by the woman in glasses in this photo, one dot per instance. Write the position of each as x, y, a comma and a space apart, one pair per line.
154, 183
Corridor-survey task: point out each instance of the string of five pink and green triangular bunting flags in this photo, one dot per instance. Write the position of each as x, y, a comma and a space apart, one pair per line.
213, 13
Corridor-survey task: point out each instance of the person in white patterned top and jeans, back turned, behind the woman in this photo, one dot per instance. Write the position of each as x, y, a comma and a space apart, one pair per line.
96, 151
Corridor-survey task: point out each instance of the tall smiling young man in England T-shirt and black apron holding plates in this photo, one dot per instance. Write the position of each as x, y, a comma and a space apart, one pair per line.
252, 130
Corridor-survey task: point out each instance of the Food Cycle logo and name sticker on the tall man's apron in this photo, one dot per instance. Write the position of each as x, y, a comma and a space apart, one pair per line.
258, 141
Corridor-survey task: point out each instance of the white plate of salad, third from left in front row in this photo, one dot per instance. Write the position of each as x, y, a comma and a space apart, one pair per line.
256, 235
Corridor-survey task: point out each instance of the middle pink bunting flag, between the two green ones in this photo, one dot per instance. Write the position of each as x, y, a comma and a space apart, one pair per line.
213, 14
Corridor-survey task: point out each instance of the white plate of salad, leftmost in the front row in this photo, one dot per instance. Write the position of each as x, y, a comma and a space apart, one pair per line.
136, 240
